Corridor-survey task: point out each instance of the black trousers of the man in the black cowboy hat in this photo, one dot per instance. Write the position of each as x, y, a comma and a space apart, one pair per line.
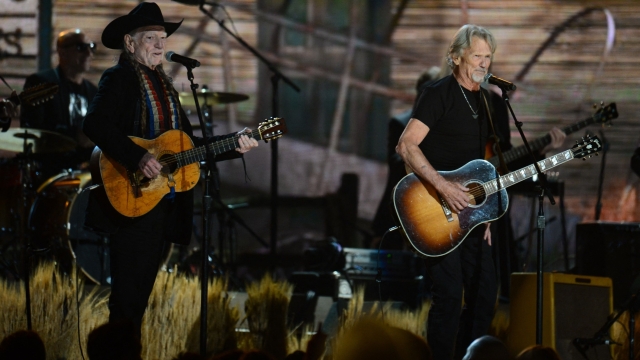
136, 252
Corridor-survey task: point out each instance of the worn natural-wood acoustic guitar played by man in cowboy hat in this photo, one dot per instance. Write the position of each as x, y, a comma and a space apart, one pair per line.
133, 195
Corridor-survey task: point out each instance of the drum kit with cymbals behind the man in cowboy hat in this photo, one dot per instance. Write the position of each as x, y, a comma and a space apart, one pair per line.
46, 213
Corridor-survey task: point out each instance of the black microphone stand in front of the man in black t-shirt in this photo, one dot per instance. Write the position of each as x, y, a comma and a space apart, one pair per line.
544, 187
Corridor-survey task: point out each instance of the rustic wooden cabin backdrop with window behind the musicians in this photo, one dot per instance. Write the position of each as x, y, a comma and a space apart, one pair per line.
355, 63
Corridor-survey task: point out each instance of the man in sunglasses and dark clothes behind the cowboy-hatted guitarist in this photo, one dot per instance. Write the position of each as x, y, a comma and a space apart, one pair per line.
65, 112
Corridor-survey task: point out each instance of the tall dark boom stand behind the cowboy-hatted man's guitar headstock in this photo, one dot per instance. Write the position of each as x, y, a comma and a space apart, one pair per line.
277, 75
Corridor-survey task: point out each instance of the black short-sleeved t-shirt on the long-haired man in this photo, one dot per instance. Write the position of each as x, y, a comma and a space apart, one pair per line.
454, 137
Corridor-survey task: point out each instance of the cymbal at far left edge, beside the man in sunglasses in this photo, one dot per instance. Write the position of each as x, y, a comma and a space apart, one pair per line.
41, 141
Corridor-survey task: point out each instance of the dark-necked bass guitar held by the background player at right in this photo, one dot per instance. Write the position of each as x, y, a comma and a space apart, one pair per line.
604, 115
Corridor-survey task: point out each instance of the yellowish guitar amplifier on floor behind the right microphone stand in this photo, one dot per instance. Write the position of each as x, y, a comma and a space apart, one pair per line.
574, 306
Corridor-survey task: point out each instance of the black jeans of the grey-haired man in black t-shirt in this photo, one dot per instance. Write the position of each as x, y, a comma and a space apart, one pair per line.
470, 268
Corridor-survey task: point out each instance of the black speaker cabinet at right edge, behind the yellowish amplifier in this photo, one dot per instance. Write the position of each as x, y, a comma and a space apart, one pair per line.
610, 249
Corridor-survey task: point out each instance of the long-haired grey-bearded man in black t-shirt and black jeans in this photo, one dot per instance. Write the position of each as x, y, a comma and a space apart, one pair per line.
449, 128
